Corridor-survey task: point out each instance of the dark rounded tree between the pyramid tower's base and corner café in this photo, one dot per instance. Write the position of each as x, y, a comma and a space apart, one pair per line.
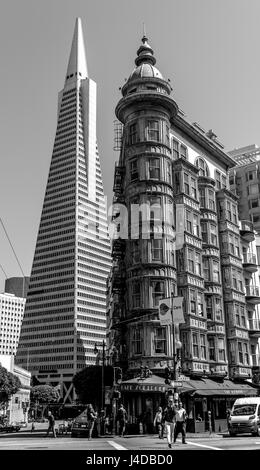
88, 383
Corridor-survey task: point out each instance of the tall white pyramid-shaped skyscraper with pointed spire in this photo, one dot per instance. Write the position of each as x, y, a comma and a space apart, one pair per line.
65, 314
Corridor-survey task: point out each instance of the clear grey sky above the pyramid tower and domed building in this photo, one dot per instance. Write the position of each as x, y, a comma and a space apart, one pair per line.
209, 49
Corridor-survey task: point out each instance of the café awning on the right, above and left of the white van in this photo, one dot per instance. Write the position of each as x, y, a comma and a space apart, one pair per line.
208, 387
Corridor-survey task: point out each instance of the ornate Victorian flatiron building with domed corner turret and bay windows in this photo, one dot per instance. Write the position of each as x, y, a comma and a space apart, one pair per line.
177, 233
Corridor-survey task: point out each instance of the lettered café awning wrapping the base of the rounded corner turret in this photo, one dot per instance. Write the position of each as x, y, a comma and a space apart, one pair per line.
154, 384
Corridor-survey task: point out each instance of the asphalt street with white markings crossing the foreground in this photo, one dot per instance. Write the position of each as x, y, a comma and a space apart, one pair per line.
38, 441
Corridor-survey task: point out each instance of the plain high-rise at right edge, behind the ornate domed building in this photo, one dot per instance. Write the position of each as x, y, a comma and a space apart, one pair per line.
244, 180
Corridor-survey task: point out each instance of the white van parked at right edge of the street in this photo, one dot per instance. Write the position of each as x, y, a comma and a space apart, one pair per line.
245, 416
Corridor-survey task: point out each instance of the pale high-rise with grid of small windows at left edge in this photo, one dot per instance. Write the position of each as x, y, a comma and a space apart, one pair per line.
11, 316
